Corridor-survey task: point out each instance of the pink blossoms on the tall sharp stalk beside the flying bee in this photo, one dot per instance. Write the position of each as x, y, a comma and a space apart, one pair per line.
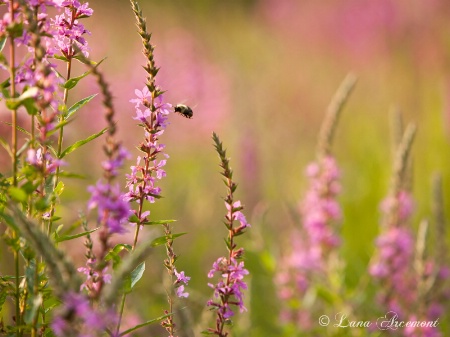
141, 182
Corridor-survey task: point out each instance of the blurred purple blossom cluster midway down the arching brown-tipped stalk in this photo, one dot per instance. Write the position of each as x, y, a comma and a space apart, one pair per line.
113, 209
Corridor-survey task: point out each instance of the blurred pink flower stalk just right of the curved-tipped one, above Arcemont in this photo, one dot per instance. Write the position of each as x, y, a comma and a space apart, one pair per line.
395, 244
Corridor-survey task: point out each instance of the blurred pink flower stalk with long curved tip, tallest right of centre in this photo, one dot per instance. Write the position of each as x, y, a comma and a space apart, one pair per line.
313, 256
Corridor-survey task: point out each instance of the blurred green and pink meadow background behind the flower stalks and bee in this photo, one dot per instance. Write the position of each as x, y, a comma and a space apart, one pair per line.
261, 73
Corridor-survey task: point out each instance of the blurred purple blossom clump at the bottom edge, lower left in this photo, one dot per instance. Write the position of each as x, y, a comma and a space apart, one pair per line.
76, 315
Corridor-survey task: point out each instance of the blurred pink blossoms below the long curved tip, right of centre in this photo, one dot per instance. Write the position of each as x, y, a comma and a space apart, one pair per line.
310, 247
